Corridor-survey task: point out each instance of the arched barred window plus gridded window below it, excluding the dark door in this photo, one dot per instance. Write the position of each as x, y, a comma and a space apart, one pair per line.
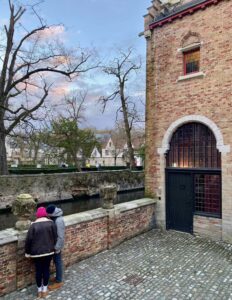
193, 147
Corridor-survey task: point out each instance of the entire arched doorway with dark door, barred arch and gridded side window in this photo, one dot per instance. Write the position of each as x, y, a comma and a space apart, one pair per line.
193, 176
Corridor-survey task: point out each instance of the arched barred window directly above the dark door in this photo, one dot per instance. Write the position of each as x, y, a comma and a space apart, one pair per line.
193, 145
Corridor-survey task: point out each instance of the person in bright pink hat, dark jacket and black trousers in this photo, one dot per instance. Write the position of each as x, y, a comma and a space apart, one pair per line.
40, 244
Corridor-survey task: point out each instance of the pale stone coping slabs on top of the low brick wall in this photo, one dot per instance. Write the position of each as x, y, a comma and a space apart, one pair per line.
11, 235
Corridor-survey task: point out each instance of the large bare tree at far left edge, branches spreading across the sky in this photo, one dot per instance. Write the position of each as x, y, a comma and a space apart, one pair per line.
26, 62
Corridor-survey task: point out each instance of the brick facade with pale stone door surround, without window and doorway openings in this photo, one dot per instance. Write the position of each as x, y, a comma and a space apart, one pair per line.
173, 100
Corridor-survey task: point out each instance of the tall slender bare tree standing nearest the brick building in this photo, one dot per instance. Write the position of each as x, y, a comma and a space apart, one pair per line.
122, 68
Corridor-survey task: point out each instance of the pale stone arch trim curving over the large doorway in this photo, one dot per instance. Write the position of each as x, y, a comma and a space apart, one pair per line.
193, 118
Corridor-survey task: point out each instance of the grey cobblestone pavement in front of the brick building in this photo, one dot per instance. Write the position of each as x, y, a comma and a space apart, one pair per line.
156, 265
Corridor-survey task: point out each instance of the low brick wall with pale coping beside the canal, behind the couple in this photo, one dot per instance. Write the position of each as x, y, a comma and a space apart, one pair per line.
87, 233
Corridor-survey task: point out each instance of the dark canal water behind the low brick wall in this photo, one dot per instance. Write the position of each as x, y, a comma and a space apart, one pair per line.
71, 206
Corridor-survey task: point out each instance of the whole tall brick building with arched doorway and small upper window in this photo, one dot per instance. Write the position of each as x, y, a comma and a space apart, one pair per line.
189, 115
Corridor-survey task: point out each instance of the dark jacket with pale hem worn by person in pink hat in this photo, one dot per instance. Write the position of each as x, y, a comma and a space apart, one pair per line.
41, 238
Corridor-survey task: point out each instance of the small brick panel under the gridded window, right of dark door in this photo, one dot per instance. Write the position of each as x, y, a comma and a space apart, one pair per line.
208, 227
